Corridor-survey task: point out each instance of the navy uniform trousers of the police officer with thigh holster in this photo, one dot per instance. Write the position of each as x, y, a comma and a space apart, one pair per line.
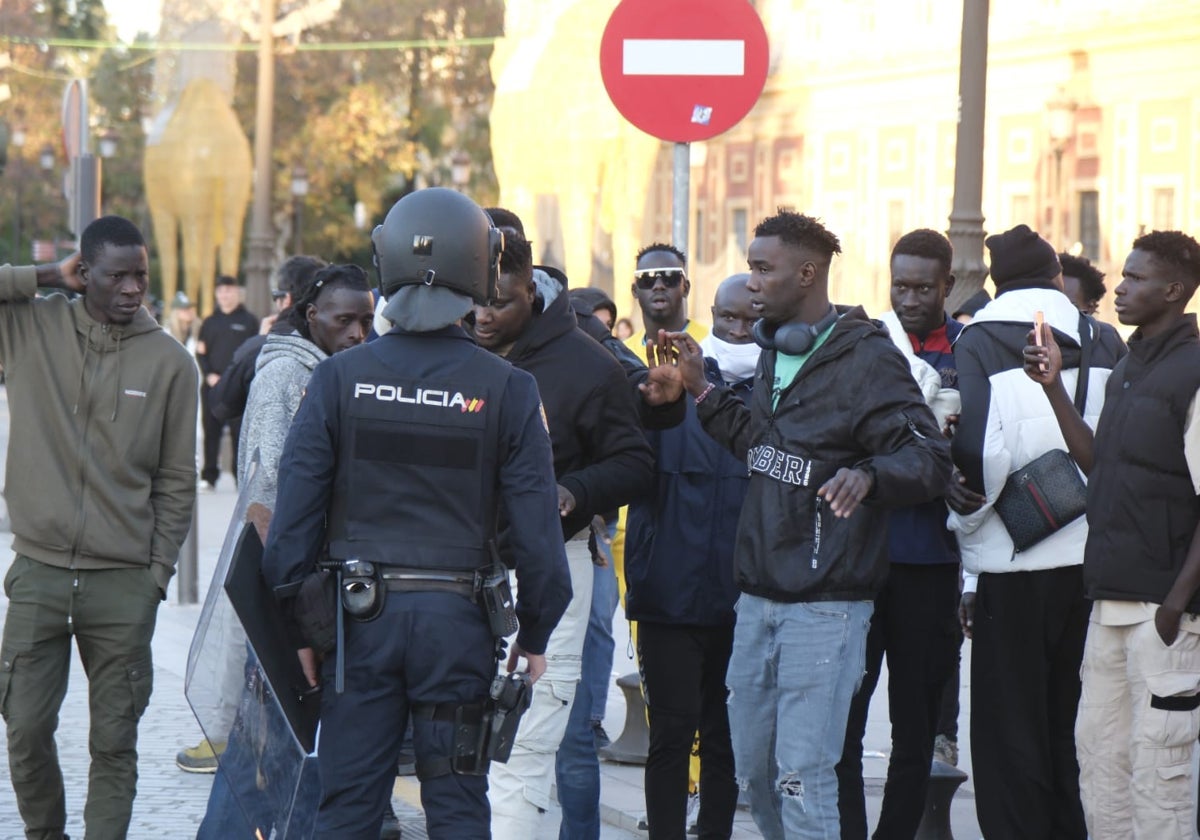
428, 647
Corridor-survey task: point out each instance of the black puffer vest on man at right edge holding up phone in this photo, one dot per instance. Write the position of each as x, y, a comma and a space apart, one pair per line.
1142, 506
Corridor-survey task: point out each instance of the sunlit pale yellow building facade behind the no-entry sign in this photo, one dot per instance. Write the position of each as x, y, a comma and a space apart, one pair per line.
1093, 135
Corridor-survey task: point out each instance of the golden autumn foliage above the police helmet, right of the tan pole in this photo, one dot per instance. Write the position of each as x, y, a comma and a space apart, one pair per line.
371, 125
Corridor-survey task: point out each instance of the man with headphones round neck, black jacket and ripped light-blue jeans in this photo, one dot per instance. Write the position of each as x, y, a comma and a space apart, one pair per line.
836, 422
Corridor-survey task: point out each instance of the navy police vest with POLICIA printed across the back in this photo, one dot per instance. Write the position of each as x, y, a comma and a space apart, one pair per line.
417, 475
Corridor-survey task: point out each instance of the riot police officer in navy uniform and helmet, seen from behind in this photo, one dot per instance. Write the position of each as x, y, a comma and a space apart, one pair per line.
397, 464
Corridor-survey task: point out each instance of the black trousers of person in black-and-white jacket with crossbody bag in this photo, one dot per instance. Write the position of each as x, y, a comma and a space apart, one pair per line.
1027, 651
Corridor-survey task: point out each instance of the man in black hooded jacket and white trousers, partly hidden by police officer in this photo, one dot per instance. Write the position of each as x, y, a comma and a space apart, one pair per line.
602, 461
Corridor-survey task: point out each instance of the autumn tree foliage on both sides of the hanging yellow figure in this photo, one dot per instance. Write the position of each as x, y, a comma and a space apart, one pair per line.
369, 125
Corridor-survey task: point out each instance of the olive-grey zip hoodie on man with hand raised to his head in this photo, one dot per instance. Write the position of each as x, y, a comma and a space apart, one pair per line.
103, 435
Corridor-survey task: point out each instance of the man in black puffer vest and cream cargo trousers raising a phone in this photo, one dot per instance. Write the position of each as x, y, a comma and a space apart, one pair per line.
1139, 715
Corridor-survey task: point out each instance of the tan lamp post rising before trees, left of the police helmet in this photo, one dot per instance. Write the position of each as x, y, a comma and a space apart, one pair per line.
259, 254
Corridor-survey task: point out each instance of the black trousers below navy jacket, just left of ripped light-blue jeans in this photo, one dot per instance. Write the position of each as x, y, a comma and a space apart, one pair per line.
683, 671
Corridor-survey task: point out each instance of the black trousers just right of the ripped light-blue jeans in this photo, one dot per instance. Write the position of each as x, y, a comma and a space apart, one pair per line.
914, 623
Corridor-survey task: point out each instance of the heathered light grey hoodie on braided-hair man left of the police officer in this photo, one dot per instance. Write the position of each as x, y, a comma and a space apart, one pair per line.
281, 376
